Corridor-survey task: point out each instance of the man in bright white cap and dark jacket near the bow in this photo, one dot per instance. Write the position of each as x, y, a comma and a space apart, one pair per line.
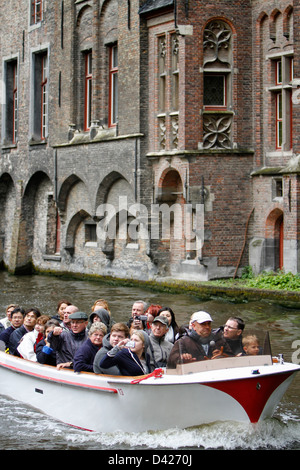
199, 343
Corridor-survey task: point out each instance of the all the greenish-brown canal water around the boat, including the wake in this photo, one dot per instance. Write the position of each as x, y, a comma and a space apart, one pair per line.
23, 427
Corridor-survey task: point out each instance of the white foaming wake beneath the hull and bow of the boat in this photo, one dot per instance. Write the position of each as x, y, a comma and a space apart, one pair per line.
272, 434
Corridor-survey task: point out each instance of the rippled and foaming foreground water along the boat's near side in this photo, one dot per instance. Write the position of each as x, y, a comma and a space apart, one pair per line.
22, 427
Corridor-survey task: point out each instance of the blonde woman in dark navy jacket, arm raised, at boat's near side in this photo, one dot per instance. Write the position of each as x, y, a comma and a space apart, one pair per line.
132, 359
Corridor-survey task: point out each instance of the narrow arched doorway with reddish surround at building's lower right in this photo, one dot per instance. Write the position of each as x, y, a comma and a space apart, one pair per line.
273, 256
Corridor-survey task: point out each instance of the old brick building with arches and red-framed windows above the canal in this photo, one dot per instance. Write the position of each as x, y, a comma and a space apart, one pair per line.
116, 114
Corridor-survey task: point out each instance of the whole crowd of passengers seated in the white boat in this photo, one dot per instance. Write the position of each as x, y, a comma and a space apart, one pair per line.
96, 343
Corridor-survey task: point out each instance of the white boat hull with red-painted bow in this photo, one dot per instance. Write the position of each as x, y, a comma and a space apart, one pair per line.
108, 403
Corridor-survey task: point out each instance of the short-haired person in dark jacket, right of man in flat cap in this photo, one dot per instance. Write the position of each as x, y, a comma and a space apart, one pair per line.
85, 354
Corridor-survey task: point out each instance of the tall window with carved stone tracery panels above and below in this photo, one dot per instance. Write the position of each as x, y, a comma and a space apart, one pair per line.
217, 78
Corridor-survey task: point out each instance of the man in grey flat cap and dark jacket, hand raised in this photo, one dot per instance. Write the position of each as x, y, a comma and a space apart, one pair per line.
66, 343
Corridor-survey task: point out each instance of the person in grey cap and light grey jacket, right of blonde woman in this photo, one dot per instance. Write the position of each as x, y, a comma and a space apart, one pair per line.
159, 347
